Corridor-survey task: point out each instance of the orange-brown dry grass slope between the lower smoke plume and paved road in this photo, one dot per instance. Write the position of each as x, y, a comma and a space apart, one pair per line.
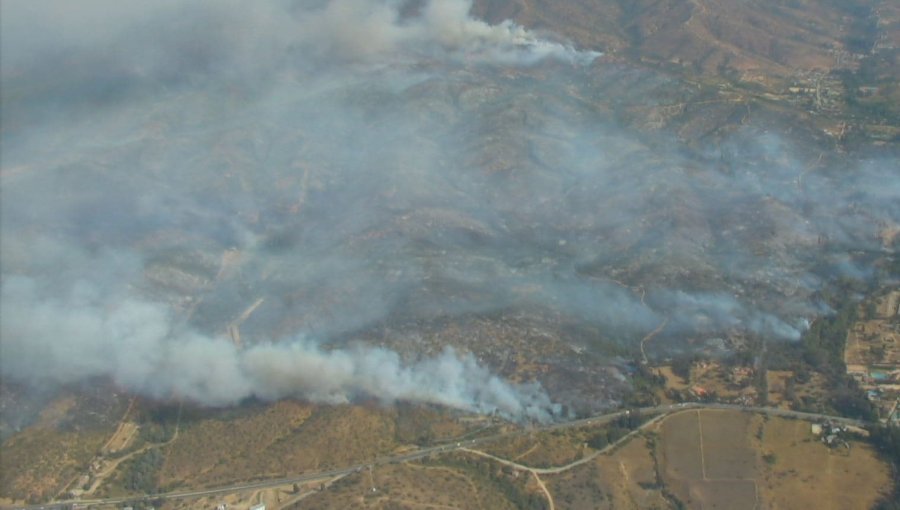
215, 448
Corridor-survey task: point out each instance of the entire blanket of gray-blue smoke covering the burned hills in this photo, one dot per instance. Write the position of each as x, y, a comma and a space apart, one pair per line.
369, 160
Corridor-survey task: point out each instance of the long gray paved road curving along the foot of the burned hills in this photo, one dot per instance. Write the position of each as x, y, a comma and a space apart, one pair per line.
439, 449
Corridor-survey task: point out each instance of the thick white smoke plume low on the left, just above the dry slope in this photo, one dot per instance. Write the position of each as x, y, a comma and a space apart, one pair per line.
134, 343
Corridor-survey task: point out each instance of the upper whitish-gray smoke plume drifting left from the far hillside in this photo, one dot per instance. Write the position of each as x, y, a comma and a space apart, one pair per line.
222, 35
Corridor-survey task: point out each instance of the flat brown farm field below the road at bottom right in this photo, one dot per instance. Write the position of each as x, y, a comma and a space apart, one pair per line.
730, 459
